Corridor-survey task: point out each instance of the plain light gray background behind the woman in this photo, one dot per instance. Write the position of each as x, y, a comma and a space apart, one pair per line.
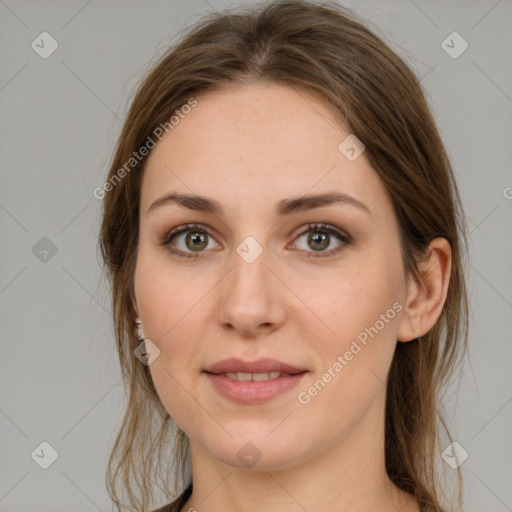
60, 380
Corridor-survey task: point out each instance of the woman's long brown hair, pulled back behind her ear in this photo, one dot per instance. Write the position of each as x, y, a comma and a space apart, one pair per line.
323, 49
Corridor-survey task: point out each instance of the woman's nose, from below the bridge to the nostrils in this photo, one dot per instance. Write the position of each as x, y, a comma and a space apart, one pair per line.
250, 301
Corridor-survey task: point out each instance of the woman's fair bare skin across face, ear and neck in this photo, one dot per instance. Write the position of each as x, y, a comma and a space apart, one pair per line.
249, 147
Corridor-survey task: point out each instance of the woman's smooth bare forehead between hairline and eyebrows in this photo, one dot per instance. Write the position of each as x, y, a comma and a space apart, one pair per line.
242, 143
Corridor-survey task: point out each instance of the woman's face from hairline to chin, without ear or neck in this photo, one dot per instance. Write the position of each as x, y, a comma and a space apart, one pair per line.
316, 285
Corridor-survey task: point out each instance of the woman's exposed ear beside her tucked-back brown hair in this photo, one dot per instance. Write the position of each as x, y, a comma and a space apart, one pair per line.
425, 300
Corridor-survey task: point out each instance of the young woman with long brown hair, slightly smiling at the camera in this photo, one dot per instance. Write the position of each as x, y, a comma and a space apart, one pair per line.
282, 228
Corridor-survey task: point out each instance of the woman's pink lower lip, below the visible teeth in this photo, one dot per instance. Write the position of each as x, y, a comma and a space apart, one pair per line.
253, 392
